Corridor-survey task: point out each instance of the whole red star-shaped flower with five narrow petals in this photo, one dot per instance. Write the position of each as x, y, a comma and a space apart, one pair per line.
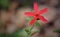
36, 14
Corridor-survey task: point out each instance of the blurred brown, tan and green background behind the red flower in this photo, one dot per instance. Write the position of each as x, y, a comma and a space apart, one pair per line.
13, 22
